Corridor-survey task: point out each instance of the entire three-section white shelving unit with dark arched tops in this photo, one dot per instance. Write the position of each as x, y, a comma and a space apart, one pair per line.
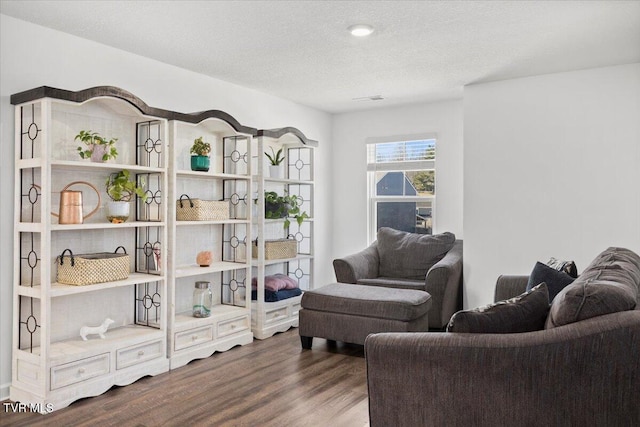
154, 329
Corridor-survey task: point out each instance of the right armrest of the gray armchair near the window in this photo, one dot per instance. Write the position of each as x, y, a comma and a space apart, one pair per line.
444, 284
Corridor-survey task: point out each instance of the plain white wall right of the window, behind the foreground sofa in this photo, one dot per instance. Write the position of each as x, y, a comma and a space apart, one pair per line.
552, 168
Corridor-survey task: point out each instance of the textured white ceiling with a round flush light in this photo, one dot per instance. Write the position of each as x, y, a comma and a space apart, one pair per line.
300, 50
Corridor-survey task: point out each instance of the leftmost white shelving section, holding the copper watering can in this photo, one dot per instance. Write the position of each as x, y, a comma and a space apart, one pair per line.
52, 365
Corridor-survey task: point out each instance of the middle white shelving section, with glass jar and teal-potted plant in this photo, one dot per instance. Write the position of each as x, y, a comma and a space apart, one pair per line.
229, 178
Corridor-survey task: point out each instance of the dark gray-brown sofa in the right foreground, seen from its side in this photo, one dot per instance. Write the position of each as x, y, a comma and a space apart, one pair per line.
582, 369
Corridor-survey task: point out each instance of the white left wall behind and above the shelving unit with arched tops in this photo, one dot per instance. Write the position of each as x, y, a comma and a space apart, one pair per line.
33, 56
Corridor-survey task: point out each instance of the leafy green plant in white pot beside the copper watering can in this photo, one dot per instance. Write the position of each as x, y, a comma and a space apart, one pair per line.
121, 188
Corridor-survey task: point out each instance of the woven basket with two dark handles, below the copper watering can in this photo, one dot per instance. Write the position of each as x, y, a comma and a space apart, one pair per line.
88, 269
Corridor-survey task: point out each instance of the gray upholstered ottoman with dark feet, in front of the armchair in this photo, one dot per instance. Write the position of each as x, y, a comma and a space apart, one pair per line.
347, 312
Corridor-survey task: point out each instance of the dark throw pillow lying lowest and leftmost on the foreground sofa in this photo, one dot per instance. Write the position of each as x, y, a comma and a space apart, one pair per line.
524, 313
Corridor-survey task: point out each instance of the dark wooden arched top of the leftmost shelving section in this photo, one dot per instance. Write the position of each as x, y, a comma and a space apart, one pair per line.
88, 94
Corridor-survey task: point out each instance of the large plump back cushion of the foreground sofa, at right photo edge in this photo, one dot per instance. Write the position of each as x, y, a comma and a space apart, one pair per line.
608, 285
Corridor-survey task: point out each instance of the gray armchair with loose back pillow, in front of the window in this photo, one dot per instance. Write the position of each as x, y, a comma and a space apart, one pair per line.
411, 261
